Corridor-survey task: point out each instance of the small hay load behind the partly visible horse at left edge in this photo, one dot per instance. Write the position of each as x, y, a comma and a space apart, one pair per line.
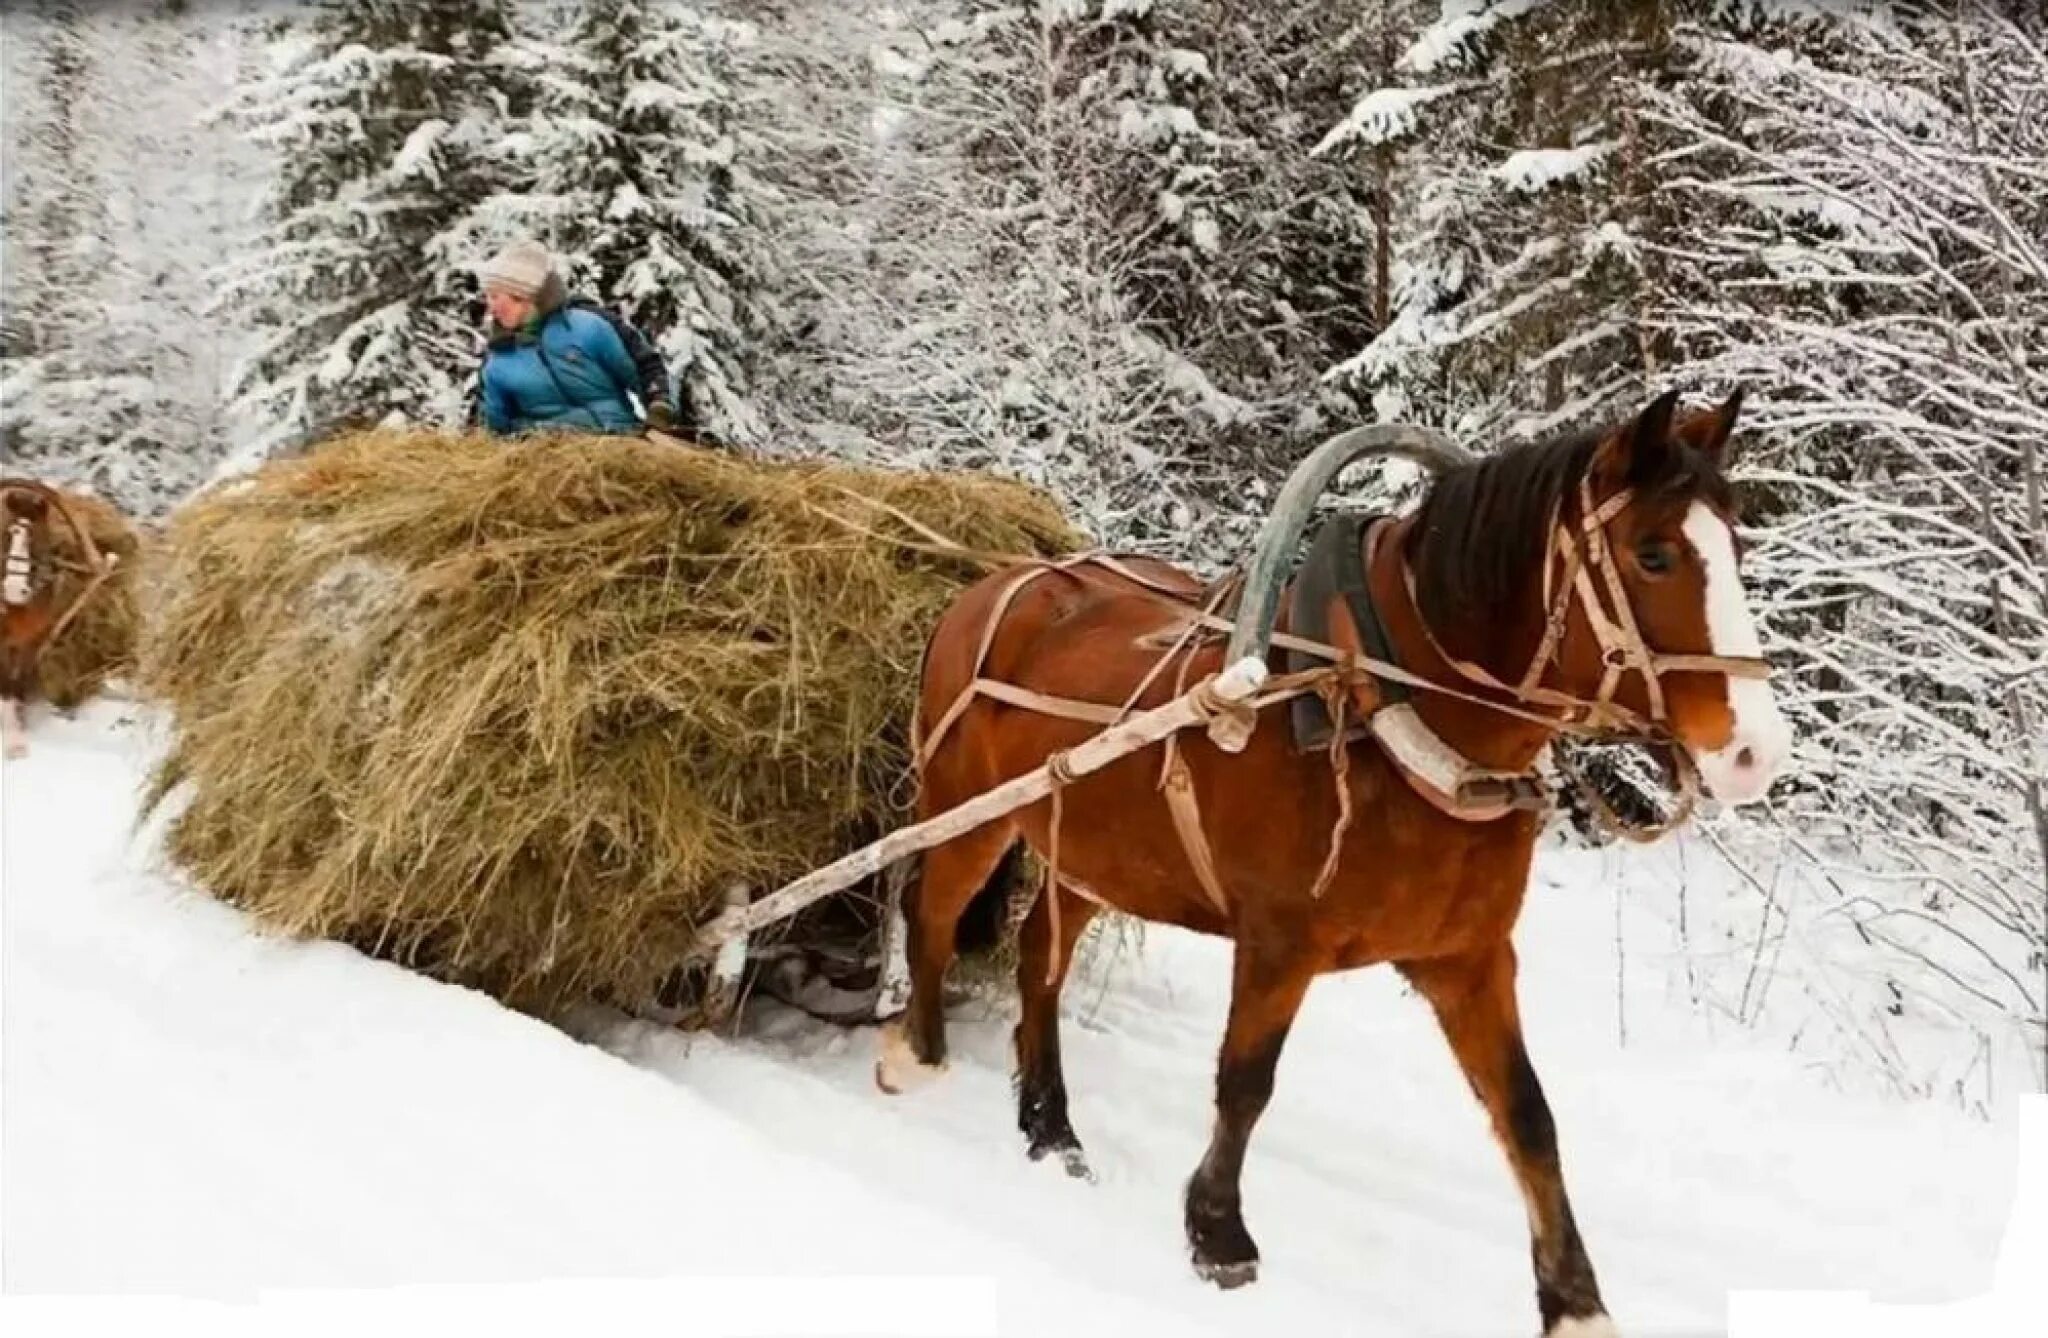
101, 640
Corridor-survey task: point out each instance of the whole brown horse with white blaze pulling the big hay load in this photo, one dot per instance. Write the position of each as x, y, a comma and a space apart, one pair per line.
1590, 579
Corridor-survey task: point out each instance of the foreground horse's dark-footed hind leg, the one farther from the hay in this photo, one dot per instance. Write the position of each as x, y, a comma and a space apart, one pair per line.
1046, 956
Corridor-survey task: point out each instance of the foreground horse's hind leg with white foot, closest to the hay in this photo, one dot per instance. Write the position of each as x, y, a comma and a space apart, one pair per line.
914, 1046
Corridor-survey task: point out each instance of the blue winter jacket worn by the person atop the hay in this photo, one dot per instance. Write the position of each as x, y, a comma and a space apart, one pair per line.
566, 370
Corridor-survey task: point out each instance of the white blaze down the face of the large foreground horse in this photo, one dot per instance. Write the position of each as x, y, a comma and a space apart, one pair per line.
1744, 767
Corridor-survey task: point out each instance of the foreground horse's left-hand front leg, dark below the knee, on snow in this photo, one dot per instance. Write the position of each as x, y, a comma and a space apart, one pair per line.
1267, 991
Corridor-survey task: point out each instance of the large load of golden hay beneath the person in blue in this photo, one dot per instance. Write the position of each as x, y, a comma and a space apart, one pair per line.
521, 714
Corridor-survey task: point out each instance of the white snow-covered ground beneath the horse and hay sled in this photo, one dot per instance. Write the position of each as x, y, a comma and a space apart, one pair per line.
198, 1112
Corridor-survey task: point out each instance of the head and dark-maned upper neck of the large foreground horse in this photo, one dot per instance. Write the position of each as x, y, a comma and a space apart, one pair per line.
1609, 571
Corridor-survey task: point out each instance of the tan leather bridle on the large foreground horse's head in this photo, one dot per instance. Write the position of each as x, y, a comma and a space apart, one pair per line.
1572, 567
